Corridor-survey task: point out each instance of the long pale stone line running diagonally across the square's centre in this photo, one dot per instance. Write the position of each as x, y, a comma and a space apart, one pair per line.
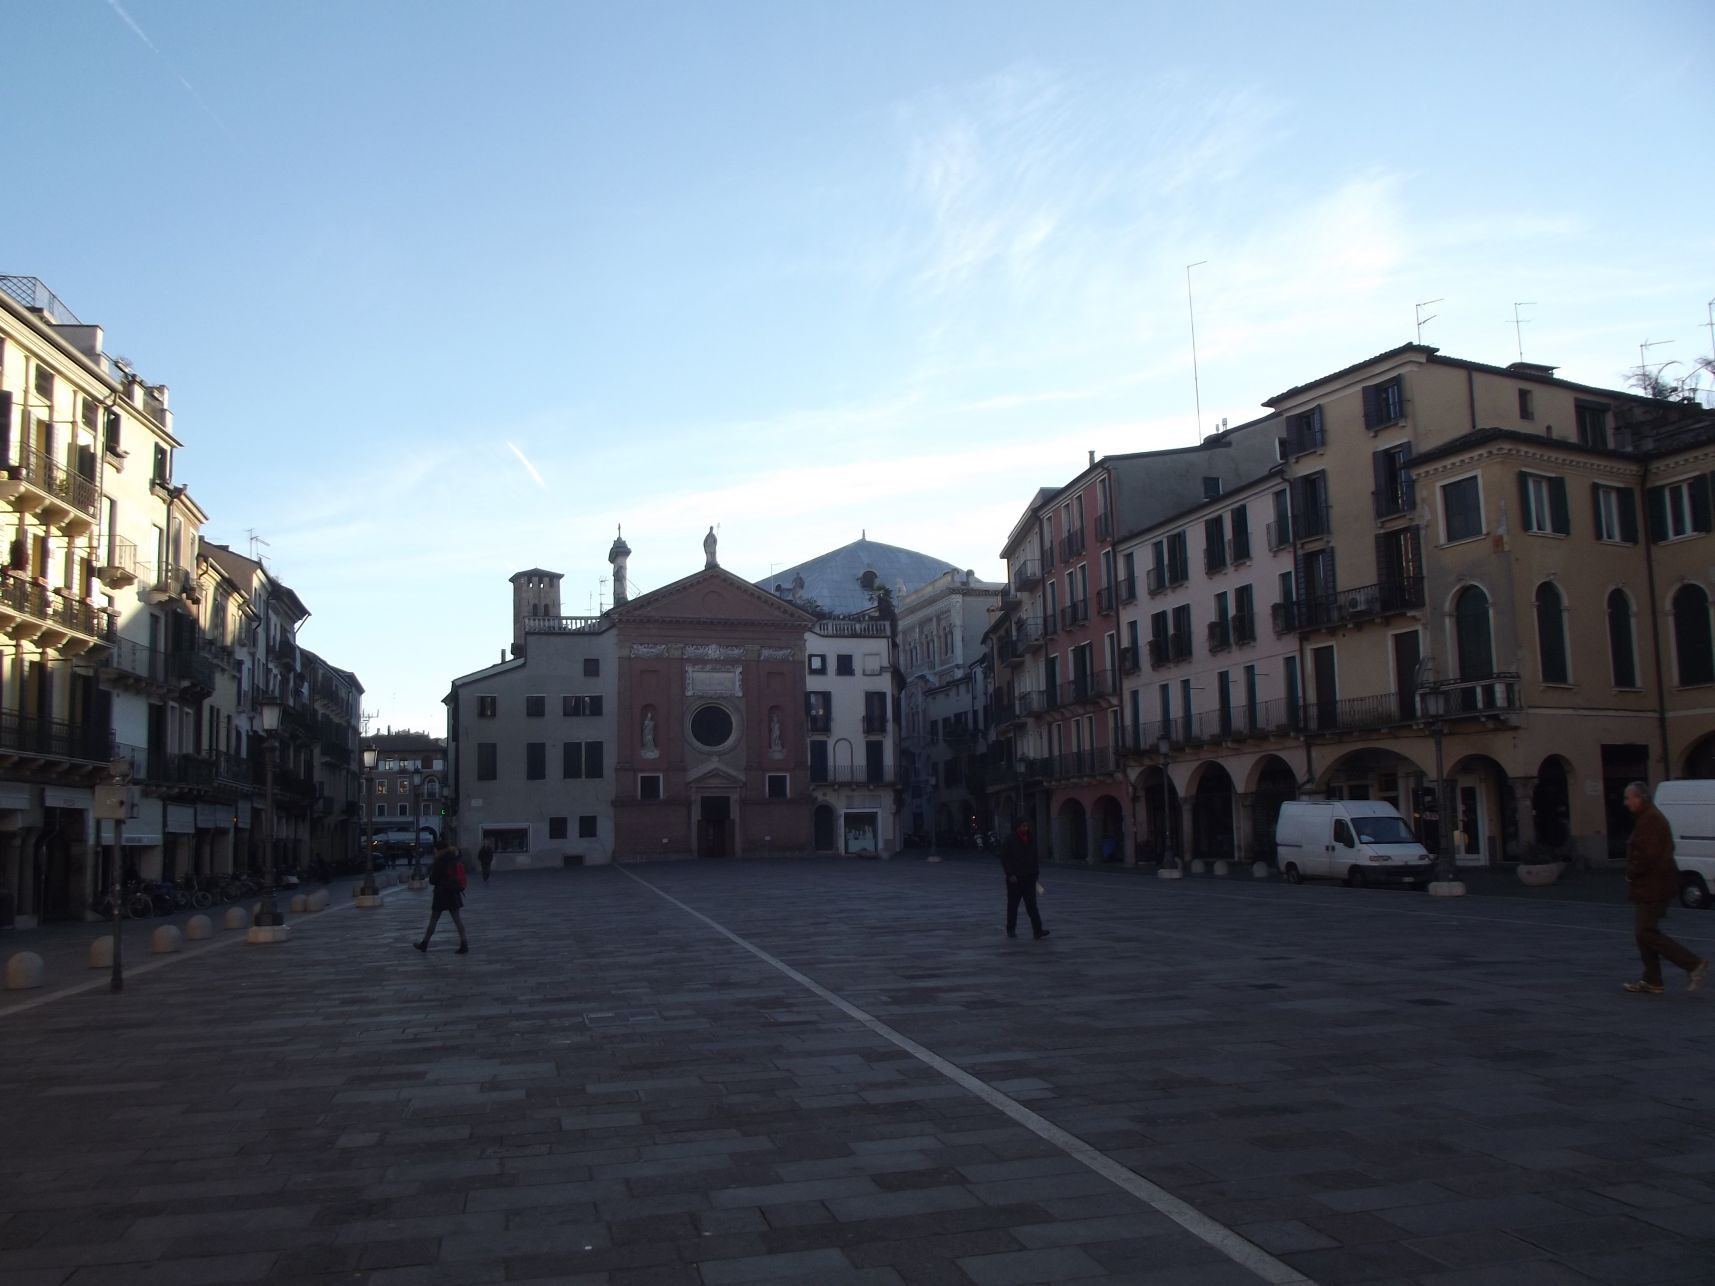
1188, 1217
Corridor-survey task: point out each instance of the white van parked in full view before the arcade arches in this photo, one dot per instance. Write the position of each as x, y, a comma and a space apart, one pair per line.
1359, 841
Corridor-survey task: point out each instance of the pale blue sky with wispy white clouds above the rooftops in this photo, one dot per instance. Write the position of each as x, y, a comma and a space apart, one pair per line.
450, 291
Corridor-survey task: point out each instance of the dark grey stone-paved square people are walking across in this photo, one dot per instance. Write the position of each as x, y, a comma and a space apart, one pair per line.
1284, 1085
